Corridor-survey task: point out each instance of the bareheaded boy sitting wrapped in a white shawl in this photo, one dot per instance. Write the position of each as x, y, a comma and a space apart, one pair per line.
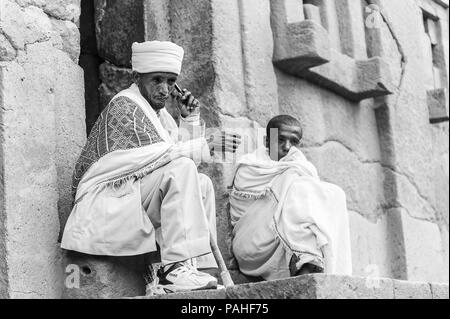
286, 222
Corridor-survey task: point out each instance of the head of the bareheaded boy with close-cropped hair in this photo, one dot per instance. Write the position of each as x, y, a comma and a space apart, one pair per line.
282, 133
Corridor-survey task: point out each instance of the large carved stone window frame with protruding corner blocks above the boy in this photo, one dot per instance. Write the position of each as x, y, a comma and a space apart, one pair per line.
303, 47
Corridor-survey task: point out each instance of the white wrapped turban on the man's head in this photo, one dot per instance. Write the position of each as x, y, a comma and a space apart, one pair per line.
156, 56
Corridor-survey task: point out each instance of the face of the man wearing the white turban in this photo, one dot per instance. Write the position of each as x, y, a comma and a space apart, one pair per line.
156, 87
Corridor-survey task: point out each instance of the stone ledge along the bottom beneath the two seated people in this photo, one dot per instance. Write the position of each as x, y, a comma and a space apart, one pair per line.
321, 286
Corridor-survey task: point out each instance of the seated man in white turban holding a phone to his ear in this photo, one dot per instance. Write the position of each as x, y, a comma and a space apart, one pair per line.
136, 182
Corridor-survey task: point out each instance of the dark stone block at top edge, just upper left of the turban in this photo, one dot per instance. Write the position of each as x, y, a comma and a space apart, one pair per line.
118, 25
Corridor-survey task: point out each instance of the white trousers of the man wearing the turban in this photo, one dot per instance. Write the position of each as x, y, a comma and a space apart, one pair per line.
180, 203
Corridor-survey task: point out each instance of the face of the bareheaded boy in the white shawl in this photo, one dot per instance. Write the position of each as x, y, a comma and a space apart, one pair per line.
280, 141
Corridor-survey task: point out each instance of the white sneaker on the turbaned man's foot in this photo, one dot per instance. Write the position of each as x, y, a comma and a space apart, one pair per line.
184, 277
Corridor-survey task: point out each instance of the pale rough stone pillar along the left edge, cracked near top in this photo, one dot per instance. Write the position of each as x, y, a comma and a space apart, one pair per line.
42, 129
